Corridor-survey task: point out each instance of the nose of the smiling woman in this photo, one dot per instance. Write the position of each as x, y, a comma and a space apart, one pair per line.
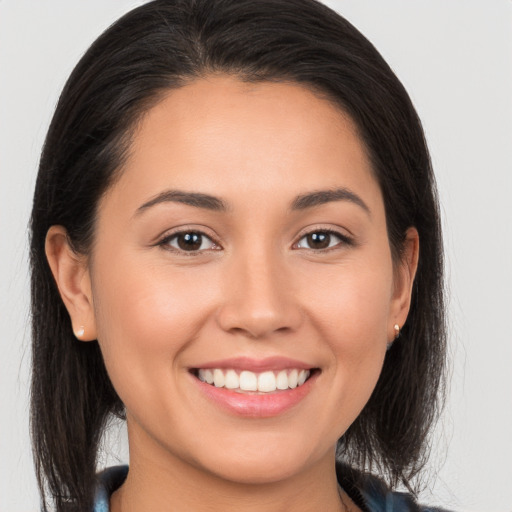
258, 298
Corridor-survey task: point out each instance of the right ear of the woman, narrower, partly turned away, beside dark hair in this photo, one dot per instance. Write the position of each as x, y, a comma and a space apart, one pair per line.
404, 280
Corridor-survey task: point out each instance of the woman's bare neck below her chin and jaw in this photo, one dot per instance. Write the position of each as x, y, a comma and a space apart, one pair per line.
171, 485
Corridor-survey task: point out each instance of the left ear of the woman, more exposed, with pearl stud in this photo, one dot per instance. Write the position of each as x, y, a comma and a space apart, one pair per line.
71, 273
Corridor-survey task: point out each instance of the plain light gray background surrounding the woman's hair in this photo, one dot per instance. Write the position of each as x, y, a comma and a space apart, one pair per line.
455, 58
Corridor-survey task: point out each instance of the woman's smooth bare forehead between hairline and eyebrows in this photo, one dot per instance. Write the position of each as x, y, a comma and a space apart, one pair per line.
220, 131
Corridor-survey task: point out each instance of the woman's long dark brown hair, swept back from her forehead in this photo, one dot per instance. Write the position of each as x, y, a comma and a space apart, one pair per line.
163, 45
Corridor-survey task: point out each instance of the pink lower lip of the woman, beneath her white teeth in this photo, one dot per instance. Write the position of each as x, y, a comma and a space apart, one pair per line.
256, 405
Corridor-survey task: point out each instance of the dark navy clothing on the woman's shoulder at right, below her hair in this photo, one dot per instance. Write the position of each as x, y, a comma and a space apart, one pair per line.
371, 494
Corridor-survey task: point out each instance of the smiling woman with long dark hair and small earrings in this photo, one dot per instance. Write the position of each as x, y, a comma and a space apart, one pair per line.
236, 246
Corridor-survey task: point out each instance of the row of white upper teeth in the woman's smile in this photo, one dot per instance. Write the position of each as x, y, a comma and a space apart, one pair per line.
265, 382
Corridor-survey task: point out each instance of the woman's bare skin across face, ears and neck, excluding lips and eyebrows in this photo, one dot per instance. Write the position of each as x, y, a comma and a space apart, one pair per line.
257, 290
